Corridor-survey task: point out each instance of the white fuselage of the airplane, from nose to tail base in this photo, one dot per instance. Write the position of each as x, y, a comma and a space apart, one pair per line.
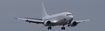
60, 18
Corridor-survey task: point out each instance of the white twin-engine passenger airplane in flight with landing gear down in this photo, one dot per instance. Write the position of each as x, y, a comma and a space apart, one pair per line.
60, 19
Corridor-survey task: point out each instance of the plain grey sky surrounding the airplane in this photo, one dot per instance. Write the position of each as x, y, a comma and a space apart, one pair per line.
81, 9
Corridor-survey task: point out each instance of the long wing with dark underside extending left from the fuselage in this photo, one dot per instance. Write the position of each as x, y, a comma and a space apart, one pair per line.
32, 20
